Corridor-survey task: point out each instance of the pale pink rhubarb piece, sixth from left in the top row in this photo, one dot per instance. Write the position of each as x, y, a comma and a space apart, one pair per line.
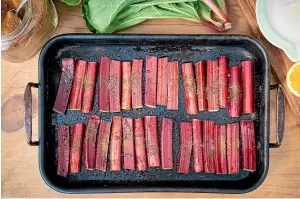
126, 86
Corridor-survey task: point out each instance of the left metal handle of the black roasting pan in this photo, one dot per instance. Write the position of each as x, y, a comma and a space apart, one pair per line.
28, 114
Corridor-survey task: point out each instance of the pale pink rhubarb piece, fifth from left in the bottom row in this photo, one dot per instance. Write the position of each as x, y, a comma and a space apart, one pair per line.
116, 144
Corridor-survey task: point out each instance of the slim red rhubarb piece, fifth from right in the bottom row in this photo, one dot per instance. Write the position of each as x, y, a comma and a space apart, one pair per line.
197, 145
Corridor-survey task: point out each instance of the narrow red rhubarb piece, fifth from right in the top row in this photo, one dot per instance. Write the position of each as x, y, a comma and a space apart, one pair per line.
200, 79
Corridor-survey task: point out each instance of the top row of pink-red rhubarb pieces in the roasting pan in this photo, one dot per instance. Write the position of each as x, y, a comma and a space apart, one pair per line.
214, 86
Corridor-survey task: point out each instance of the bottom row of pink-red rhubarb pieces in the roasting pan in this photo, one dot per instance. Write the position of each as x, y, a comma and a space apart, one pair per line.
213, 148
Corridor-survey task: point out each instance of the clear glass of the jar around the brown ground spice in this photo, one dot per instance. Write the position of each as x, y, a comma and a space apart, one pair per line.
37, 26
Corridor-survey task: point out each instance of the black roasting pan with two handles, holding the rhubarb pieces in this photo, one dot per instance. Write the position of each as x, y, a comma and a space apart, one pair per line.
184, 48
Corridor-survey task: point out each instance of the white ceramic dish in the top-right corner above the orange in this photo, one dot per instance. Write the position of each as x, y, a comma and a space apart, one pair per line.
279, 21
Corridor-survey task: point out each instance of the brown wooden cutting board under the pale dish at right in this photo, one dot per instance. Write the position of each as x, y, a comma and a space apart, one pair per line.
280, 64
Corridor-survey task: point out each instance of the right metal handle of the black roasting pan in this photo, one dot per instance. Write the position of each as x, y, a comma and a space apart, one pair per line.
280, 115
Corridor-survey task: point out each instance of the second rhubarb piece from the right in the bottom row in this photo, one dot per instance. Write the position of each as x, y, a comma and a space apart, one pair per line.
233, 146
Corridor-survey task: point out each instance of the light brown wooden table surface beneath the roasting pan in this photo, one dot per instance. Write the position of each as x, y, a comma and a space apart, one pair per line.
20, 172
